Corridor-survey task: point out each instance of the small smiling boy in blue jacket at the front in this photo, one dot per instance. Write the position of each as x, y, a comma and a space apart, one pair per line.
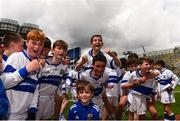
84, 108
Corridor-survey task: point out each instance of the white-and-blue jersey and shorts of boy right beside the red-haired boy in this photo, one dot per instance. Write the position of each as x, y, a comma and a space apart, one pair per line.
51, 80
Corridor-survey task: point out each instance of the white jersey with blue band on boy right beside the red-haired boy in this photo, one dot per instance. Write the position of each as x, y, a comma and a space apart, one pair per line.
51, 78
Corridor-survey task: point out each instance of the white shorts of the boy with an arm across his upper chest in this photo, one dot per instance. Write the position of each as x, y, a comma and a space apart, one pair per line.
137, 104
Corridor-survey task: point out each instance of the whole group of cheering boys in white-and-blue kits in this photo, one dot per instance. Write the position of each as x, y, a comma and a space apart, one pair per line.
35, 86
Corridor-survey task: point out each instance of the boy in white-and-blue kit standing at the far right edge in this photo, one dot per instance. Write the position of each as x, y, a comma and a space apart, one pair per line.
168, 81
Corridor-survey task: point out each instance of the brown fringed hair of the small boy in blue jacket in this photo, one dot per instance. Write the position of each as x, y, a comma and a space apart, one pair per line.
83, 85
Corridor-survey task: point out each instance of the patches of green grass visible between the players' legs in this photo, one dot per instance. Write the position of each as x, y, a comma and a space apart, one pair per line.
175, 107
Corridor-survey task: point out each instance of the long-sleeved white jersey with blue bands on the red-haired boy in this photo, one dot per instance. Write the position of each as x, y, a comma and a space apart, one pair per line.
22, 87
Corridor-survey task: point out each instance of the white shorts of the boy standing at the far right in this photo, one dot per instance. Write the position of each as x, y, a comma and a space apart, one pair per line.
167, 97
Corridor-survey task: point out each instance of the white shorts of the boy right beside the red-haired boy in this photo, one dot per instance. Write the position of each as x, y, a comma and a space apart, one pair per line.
45, 107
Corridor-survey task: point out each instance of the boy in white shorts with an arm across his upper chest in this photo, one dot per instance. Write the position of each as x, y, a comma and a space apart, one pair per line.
141, 84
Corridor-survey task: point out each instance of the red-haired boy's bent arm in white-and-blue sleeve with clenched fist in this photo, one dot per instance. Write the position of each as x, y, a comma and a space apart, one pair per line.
12, 76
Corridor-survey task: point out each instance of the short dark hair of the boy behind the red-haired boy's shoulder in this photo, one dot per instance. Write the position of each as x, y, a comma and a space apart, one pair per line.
11, 37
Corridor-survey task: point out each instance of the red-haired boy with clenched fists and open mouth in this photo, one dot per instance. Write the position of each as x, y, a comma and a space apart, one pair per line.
20, 78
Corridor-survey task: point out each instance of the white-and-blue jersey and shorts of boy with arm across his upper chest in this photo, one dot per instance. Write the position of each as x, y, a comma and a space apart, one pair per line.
139, 94
